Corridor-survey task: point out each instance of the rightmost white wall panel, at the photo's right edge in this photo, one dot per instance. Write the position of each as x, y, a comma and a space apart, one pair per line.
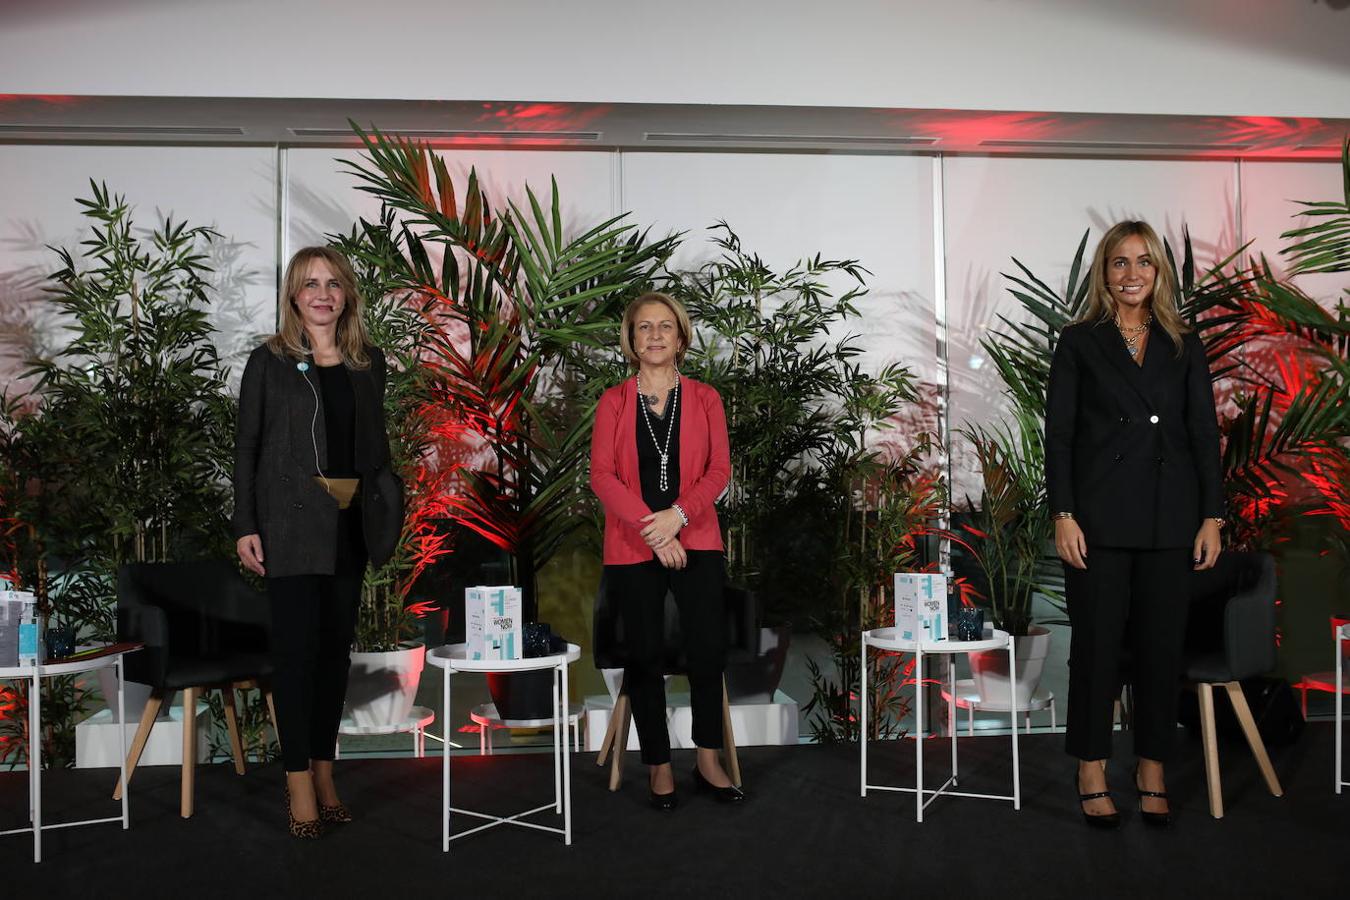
1270, 191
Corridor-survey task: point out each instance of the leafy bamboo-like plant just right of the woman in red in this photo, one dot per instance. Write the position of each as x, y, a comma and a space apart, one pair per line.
799, 410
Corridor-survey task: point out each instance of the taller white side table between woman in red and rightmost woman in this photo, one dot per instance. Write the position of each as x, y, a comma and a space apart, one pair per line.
889, 639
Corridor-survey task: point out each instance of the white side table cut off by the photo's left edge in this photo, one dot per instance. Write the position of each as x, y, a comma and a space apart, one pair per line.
86, 660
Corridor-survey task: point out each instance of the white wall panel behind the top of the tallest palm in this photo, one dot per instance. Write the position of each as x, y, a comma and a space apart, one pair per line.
323, 198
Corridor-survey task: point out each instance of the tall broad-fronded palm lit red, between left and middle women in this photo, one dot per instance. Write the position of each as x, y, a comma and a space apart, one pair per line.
518, 310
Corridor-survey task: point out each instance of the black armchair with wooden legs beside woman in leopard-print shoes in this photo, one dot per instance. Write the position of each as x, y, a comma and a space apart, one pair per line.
203, 628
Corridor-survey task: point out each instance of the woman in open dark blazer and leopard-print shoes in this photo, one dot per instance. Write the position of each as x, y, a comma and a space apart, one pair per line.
314, 501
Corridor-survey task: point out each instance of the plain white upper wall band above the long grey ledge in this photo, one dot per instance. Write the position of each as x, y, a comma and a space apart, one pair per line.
1235, 57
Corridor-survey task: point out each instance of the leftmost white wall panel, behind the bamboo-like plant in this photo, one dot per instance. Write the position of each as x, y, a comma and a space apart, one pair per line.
230, 190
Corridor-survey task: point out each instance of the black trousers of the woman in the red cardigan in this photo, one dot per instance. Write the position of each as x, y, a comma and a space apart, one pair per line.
641, 594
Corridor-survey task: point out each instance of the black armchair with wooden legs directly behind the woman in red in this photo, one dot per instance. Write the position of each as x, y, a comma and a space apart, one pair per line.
610, 652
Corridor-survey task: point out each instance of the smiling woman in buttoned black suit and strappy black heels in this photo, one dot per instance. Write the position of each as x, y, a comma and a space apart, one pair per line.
1135, 485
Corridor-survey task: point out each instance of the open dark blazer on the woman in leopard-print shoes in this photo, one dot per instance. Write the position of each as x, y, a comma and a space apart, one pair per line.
279, 435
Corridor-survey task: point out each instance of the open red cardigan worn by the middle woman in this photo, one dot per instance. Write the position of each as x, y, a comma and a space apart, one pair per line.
705, 468
